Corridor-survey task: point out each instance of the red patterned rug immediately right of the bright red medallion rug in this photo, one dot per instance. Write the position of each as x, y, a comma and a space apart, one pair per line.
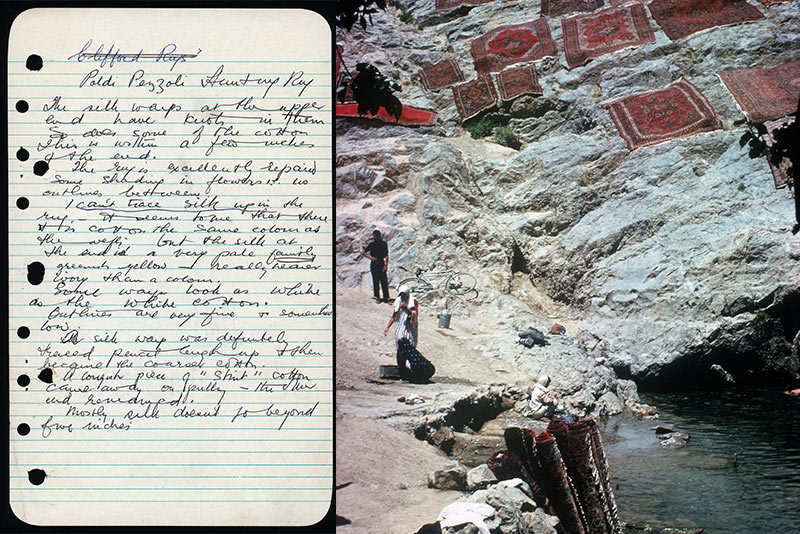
597, 34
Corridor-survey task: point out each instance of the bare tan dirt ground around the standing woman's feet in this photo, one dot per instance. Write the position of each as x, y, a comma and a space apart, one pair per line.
381, 468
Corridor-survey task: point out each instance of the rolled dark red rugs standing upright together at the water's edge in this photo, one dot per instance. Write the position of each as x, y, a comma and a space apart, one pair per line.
566, 469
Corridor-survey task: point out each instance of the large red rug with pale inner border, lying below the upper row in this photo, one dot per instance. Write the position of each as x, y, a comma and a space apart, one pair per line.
649, 118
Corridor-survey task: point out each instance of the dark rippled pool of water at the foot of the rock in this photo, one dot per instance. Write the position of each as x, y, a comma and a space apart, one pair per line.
698, 485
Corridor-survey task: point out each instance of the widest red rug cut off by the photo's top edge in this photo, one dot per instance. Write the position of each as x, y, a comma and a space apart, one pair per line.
680, 18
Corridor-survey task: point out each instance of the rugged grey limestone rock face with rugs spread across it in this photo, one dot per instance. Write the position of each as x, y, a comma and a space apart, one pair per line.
674, 263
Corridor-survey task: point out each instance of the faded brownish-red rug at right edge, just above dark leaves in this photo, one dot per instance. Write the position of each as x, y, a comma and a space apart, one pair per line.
765, 94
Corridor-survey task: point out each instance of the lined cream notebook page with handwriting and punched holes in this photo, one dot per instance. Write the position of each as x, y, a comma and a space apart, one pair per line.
170, 256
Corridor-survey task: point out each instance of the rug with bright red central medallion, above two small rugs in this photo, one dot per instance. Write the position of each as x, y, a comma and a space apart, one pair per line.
513, 43
